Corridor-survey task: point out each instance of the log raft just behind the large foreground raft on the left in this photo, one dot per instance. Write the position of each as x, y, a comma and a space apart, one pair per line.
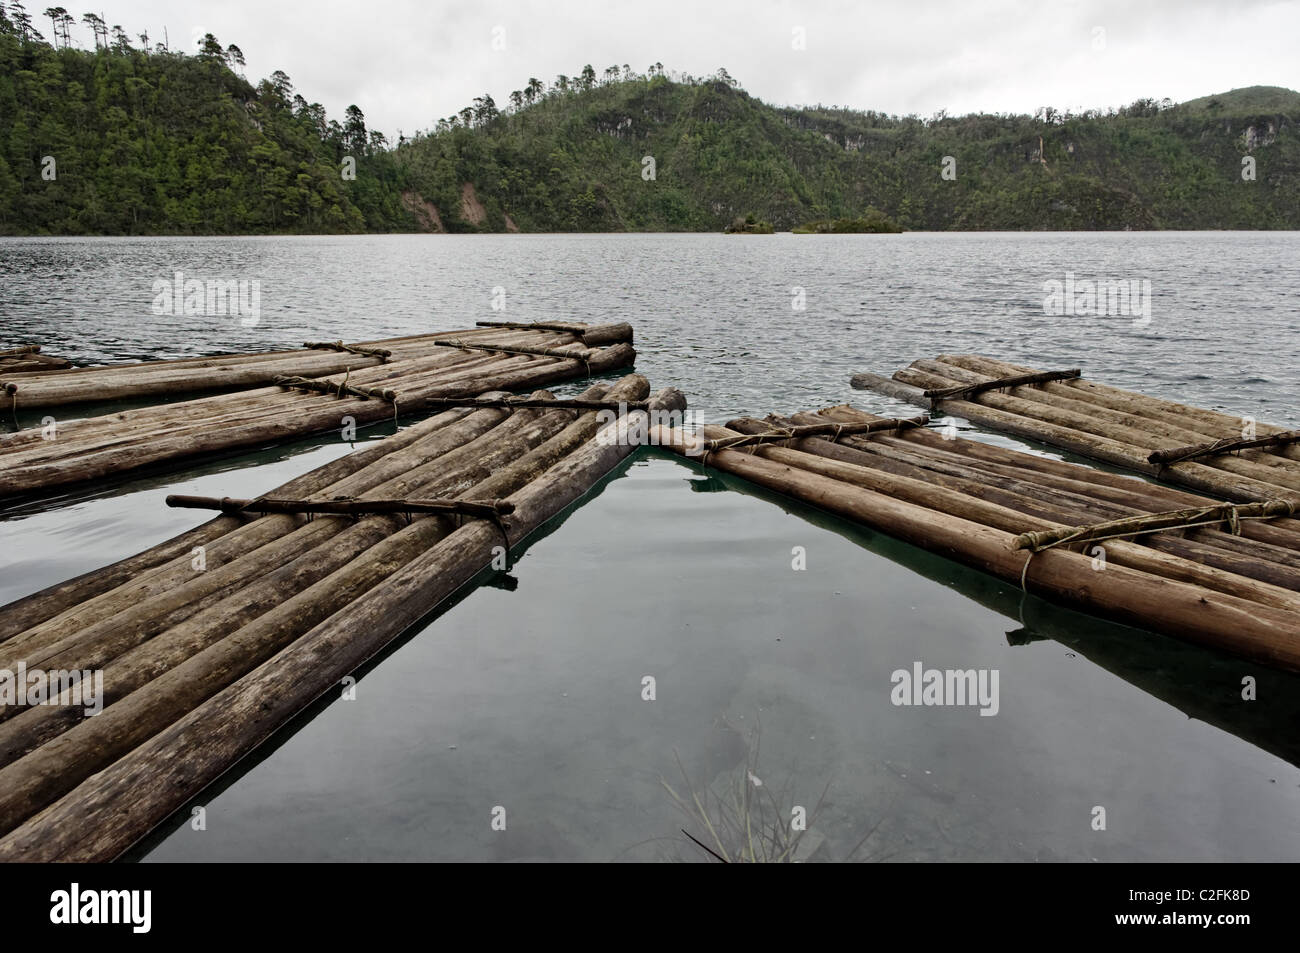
38, 460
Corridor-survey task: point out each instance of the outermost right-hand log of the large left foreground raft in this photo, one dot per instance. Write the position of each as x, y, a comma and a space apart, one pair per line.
145, 786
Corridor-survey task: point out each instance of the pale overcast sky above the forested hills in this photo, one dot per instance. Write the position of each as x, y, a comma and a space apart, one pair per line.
408, 63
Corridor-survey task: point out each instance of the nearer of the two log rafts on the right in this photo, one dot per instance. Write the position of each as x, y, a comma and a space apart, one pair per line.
1171, 562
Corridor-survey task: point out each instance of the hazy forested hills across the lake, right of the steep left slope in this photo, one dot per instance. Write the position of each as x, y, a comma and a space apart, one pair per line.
575, 159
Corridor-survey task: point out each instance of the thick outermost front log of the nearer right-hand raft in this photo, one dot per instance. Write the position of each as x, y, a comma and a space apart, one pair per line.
1138, 599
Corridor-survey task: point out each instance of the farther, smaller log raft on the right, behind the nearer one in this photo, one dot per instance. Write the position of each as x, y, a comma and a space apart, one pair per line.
1190, 447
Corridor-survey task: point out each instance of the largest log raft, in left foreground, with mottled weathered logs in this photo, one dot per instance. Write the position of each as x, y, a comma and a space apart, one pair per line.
203, 664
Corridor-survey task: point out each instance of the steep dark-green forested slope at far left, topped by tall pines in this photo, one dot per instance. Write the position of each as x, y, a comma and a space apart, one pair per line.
128, 140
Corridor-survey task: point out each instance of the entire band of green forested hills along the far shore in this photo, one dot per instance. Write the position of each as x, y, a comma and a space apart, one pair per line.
132, 138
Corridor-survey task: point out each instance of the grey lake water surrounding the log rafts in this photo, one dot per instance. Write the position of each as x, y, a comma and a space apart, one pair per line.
528, 696
